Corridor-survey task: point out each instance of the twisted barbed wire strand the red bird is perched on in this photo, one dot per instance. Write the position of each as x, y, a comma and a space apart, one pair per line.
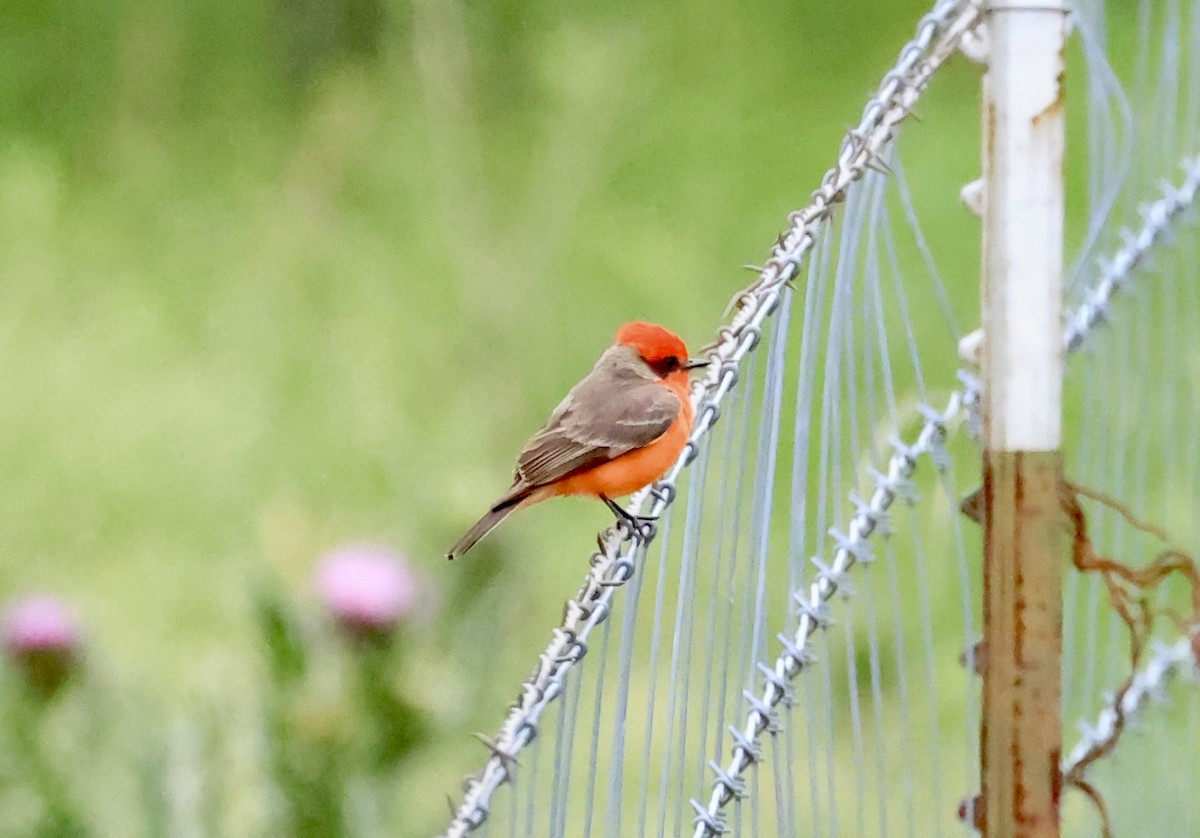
938, 35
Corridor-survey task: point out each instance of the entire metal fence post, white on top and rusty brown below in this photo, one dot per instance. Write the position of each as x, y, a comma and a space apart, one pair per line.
1022, 367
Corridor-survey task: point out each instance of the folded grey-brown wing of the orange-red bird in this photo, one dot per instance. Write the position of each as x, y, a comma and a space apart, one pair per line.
604, 417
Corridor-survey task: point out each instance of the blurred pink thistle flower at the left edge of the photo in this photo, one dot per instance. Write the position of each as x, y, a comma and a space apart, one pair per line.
41, 637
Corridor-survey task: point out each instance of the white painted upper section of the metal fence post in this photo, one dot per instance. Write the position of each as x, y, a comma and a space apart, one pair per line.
1023, 226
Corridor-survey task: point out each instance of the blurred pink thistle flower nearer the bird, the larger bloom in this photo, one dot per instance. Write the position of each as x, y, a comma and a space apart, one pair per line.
368, 590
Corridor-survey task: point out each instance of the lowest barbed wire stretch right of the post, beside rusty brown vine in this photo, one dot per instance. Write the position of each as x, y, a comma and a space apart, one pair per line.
1166, 662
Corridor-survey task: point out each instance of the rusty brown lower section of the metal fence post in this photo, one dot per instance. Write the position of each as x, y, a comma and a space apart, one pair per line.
1022, 739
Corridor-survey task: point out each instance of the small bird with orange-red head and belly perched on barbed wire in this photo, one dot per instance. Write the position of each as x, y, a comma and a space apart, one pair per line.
617, 432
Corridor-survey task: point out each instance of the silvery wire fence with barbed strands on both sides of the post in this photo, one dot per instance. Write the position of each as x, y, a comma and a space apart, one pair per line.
741, 571
